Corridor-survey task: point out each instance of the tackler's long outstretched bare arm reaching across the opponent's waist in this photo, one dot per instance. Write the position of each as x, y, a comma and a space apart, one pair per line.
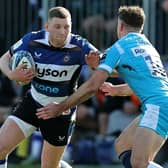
84, 92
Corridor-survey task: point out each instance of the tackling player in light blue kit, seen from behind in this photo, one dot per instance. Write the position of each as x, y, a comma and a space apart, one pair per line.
138, 62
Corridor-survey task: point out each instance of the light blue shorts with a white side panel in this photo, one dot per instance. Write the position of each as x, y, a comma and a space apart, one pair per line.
155, 117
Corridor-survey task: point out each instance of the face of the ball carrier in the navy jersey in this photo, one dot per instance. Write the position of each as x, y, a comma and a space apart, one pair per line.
59, 30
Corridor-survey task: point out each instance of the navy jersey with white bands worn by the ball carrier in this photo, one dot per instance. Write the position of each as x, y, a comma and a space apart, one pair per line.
57, 68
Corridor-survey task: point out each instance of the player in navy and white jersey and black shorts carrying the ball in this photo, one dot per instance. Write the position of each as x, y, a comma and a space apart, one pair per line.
59, 56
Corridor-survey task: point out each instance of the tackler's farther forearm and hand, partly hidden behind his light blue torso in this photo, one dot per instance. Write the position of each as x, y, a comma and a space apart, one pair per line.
116, 90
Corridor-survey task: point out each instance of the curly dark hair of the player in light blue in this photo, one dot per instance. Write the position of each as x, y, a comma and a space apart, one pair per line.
133, 16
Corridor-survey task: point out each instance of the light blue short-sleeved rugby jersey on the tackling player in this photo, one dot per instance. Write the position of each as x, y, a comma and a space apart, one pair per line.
138, 62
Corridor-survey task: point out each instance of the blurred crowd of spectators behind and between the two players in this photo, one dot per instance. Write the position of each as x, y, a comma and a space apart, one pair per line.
99, 120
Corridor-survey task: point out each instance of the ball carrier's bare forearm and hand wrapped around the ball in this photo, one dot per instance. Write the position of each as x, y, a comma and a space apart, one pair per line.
18, 74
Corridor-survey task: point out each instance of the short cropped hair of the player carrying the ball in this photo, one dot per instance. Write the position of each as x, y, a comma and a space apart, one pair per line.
59, 12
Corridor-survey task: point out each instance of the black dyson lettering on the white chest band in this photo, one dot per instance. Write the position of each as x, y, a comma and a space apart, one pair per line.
41, 72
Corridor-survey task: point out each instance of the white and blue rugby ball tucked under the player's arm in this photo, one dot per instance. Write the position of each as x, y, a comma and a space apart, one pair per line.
22, 57
